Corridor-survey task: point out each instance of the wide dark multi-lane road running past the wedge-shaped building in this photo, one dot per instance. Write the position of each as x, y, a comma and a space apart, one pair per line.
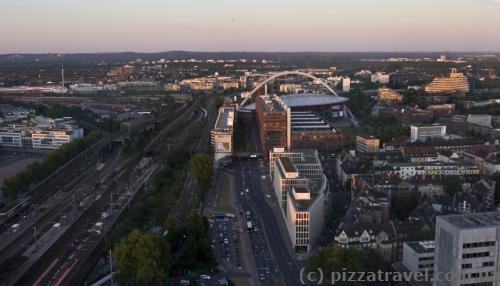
272, 258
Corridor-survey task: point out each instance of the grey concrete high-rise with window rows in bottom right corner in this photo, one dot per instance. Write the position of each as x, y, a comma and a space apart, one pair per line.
467, 249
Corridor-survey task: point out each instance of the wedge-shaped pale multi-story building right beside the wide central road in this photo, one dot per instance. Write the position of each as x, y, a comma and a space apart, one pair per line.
301, 188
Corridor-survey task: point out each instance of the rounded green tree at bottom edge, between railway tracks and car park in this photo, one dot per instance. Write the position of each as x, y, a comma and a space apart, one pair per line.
142, 259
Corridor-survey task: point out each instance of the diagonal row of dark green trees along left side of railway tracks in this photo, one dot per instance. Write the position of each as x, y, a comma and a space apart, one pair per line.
37, 171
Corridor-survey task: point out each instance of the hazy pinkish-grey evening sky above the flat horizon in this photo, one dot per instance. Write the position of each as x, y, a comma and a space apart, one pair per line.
251, 25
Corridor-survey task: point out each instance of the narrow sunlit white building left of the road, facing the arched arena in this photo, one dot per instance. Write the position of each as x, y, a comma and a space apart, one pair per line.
222, 134
